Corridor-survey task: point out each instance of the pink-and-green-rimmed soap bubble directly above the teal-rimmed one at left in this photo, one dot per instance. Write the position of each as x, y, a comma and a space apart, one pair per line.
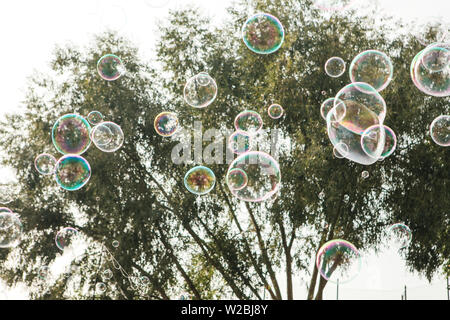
71, 134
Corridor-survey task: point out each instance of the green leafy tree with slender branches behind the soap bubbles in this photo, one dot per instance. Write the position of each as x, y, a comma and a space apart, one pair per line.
215, 246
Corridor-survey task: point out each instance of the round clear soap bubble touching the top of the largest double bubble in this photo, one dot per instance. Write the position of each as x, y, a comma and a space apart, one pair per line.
372, 67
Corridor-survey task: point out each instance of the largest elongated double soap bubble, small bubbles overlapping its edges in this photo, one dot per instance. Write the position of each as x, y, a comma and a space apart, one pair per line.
364, 107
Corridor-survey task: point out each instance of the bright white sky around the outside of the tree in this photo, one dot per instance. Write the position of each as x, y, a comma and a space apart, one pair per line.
31, 29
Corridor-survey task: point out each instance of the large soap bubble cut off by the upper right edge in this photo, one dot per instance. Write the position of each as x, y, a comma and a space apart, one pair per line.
430, 72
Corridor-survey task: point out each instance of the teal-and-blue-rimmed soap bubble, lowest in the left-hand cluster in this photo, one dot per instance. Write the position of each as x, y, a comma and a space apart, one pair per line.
72, 172
